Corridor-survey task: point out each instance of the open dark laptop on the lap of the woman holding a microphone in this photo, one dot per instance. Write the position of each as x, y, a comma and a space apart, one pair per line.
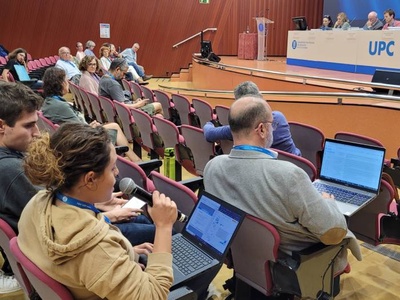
206, 237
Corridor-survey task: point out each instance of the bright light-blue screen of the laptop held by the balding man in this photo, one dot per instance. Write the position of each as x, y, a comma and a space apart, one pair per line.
352, 164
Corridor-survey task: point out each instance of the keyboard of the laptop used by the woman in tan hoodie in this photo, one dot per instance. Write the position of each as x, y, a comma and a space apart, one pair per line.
187, 257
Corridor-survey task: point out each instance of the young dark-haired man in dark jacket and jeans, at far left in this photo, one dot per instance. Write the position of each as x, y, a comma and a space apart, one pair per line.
18, 127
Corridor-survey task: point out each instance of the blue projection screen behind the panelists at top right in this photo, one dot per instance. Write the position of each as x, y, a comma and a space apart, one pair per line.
357, 10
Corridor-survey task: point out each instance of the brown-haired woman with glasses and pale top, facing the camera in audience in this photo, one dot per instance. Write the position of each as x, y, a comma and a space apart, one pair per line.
89, 66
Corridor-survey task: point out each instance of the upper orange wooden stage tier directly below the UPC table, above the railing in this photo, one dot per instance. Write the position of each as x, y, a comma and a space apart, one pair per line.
272, 74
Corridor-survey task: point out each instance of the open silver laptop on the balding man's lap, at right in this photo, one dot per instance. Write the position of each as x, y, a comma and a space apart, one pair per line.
351, 172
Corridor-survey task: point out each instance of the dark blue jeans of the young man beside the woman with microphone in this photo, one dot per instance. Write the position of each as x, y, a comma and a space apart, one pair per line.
138, 231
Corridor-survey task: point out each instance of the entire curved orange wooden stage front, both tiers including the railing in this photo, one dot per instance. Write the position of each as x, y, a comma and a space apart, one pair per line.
330, 100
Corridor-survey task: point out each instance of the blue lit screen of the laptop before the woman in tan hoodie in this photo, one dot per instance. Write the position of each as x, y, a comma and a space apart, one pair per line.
212, 224
